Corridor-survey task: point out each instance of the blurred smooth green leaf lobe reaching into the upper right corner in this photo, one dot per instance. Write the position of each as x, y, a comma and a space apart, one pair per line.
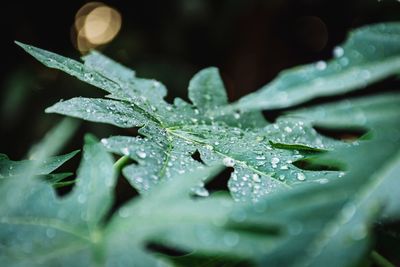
370, 54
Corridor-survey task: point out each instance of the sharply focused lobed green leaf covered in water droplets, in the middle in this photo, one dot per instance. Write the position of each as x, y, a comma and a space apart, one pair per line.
172, 133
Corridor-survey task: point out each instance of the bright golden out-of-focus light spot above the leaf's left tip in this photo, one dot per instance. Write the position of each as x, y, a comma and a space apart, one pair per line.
95, 24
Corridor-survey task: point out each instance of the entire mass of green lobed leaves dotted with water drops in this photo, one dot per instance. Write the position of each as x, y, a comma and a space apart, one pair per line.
279, 212
